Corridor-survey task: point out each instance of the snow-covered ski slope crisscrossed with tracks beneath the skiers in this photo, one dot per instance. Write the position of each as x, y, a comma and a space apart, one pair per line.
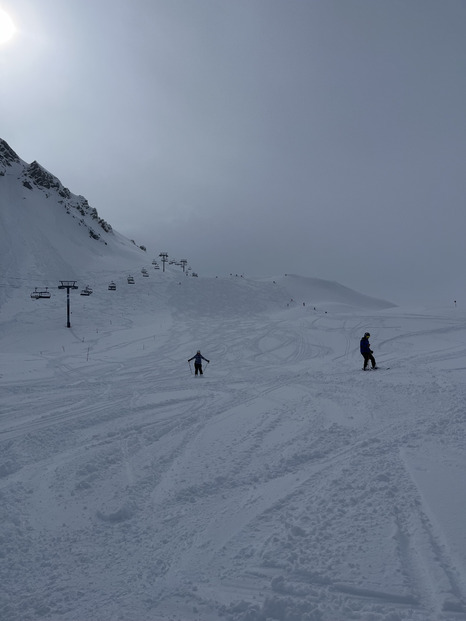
284, 483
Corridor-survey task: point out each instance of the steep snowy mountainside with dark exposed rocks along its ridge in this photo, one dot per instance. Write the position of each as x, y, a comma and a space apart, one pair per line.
48, 233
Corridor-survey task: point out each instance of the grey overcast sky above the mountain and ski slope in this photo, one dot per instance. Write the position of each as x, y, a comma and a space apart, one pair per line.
325, 138
